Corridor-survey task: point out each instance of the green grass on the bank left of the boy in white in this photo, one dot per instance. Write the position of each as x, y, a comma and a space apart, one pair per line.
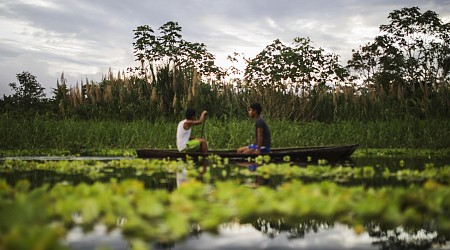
80, 135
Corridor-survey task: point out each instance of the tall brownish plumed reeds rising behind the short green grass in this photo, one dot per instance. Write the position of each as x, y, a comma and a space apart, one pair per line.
167, 94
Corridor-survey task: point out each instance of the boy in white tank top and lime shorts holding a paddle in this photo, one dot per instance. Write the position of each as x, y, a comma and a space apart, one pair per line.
184, 140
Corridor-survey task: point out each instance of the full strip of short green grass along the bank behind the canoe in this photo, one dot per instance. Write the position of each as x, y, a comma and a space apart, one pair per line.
78, 136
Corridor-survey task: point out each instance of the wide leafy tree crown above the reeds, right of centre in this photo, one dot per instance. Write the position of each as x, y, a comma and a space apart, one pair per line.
296, 69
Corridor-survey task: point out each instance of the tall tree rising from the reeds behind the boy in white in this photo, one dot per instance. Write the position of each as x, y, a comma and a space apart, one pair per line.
172, 65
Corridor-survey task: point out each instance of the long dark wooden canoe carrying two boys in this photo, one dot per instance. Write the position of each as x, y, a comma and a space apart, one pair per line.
330, 153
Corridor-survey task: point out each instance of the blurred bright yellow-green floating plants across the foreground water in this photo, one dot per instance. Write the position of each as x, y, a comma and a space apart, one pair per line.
28, 216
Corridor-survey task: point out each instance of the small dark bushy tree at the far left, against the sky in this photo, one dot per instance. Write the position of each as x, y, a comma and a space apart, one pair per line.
28, 92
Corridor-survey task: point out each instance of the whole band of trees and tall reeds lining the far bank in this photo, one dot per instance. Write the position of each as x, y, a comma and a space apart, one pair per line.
404, 72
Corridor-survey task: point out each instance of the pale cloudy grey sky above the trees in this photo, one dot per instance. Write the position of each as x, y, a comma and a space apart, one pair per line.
85, 38
